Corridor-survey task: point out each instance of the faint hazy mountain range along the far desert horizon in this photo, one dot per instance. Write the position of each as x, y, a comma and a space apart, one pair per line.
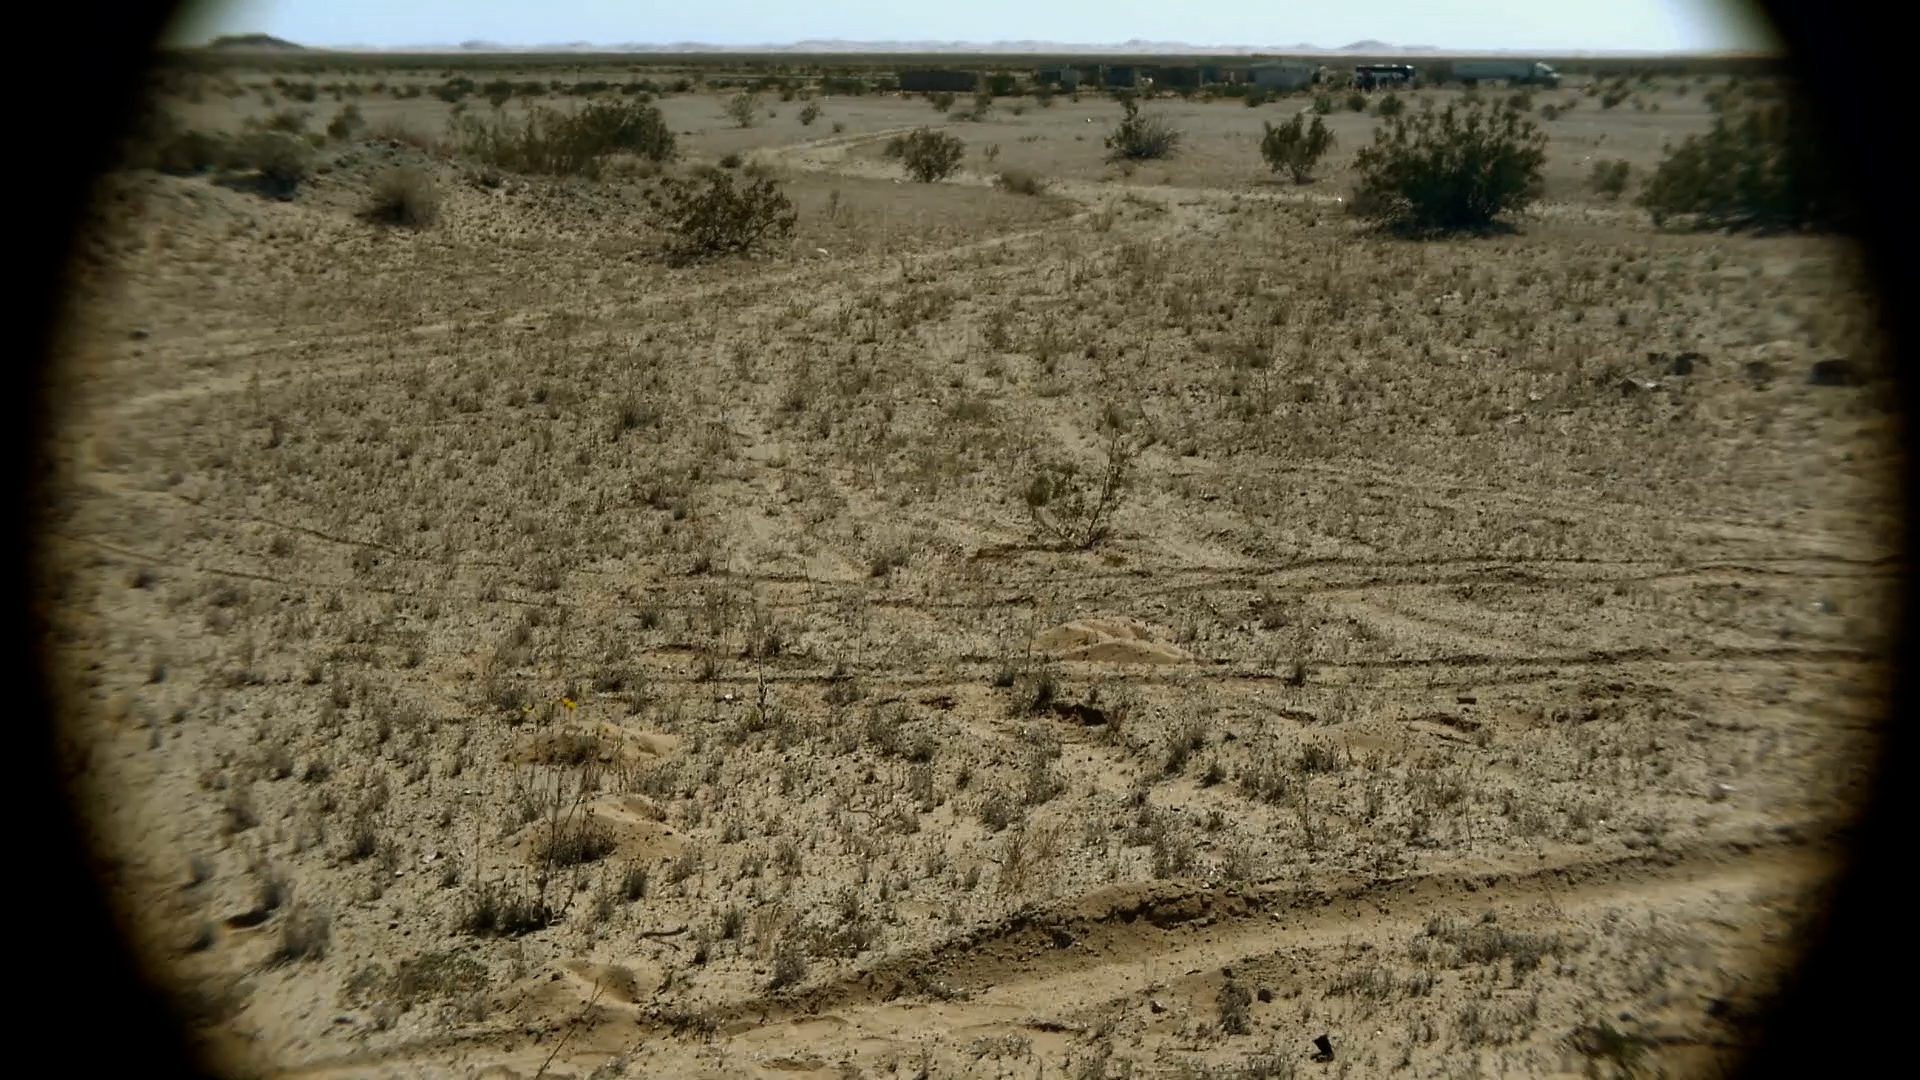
834, 47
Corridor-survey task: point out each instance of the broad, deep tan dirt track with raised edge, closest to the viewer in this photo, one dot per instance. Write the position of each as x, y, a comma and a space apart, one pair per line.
1040, 962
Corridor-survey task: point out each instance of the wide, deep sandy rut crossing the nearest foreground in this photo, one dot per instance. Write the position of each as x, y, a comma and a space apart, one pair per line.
1049, 970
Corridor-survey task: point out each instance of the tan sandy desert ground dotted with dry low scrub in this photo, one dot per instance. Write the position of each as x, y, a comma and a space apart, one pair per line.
496, 652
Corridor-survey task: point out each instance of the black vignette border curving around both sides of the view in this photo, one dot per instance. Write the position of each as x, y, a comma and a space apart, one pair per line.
84, 1006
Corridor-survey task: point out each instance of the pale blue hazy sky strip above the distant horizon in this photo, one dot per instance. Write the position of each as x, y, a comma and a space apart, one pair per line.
1445, 24
